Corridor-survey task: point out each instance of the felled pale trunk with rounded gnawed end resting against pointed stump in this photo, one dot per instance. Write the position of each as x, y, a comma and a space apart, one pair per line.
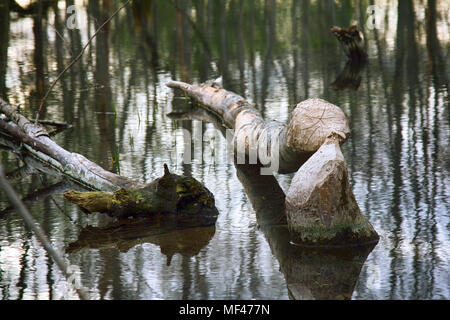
284, 146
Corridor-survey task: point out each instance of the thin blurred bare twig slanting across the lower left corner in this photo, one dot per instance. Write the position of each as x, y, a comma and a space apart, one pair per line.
29, 221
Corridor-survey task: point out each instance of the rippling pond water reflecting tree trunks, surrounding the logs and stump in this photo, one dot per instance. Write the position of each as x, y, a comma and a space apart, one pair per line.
276, 54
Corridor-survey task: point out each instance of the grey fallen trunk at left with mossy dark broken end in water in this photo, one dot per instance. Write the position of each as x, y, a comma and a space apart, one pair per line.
117, 196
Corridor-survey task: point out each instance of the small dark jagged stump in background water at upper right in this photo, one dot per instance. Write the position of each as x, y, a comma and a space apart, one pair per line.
352, 41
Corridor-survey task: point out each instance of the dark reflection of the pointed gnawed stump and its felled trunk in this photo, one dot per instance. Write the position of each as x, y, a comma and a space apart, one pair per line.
310, 273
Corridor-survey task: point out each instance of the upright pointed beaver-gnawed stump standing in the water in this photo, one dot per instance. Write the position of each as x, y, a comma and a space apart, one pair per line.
320, 206
